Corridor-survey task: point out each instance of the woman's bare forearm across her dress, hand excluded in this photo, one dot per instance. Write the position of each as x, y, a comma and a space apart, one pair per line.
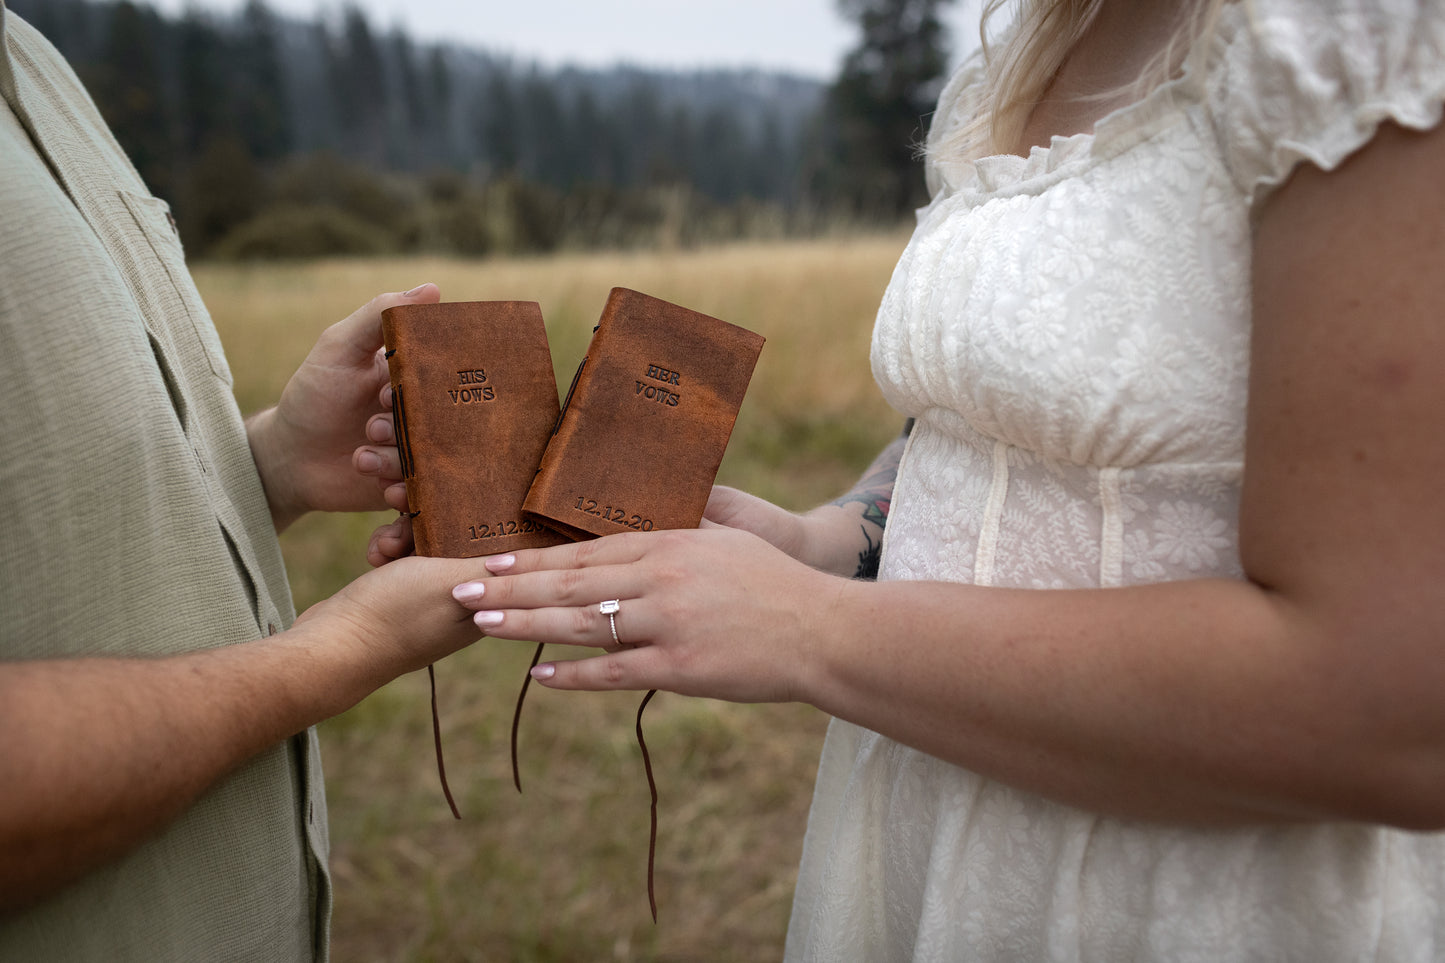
1199, 702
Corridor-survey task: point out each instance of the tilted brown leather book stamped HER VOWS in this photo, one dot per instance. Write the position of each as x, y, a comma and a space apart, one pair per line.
647, 420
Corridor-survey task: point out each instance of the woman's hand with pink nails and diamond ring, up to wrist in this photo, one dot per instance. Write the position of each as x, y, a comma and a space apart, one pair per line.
713, 612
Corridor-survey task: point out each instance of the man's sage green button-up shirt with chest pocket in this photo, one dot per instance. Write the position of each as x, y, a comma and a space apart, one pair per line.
137, 526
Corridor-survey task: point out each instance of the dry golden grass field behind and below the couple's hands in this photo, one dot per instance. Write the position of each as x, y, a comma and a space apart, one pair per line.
558, 873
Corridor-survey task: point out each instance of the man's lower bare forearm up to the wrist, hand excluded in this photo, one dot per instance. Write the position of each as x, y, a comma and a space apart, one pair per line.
103, 753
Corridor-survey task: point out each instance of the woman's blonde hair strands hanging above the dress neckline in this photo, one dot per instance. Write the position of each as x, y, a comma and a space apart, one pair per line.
1040, 38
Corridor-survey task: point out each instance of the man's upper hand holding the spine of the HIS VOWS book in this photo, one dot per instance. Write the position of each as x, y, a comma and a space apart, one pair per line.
329, 445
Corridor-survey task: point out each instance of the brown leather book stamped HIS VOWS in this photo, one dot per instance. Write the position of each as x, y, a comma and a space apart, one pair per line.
475, 407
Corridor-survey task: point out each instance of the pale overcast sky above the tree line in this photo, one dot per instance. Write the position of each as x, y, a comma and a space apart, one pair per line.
806, 37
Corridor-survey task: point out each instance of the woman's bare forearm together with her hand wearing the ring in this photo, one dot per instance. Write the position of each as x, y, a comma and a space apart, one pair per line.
1196, 702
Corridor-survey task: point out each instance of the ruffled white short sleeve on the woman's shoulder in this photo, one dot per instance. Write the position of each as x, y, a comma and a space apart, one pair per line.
1311, 82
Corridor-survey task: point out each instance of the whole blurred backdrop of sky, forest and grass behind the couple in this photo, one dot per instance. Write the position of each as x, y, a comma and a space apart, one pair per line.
755, 161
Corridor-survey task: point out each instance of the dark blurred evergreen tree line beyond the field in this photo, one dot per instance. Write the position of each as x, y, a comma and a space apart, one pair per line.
274, 137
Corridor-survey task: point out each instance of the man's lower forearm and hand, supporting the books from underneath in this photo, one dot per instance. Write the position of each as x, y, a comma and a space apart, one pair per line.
105, 753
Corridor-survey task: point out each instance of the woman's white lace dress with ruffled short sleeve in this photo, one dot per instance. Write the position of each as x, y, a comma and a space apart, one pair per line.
1071, 333
